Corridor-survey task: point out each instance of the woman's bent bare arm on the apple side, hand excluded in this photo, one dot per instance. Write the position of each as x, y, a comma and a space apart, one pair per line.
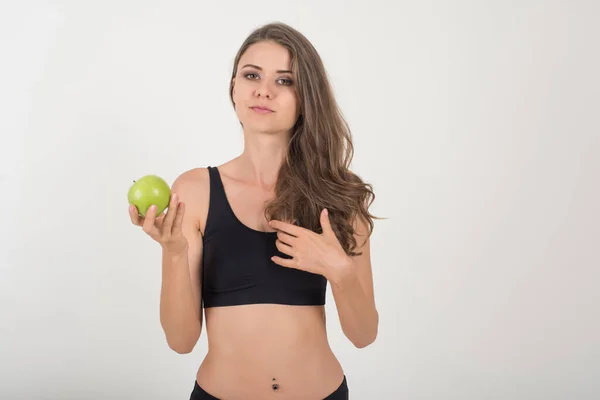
180, 308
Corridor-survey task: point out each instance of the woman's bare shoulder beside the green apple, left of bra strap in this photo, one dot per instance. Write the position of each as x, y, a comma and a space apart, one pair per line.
193, 187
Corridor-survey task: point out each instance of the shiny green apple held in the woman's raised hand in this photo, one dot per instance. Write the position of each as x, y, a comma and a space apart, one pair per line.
149, 190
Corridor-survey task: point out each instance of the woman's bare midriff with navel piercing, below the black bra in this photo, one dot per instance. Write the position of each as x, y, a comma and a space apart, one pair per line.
252, 345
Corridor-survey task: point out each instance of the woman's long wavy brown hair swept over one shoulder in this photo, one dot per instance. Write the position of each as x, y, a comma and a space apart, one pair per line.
315, 174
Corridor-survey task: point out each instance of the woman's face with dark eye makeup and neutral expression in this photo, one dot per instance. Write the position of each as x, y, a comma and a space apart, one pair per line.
264, 80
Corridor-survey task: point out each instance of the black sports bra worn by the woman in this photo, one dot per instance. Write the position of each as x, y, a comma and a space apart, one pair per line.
237, 265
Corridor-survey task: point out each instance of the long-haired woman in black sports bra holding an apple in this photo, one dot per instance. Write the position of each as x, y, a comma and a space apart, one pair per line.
252, 243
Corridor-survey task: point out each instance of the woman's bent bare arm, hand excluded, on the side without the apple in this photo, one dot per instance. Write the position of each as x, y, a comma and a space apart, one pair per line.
352, 287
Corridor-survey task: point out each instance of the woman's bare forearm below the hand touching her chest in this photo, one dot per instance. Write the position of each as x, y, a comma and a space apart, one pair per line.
357, 312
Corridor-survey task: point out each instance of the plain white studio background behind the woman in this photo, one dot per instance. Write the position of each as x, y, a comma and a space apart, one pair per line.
476, 122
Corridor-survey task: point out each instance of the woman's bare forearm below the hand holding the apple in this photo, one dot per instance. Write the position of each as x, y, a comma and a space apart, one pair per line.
179, 313
